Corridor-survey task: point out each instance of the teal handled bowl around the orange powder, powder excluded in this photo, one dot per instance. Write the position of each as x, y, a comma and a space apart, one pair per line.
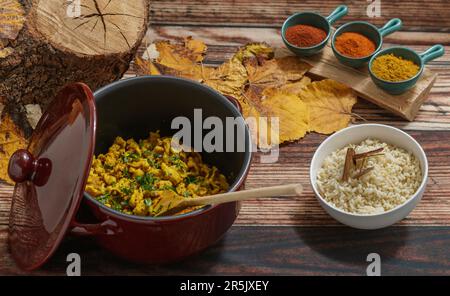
370, 31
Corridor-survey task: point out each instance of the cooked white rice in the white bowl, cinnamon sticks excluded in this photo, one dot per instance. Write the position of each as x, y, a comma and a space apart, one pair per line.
395, 178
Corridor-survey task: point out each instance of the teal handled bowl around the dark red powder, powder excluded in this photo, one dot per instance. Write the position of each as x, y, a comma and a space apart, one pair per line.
315, 20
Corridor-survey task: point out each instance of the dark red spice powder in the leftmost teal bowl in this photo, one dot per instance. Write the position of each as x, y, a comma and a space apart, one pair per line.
305, 35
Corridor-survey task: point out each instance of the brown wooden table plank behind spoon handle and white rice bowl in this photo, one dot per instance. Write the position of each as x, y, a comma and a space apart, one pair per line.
293, 166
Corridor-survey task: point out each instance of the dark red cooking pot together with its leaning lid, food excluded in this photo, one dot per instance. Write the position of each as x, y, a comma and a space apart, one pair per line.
131, 109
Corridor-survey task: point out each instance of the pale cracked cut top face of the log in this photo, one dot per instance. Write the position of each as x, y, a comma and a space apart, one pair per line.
102, 27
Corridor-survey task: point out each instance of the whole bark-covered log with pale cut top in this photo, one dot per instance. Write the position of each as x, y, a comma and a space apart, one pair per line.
46, 44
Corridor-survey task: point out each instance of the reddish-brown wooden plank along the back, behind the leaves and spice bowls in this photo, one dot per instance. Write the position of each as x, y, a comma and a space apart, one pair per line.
417, 15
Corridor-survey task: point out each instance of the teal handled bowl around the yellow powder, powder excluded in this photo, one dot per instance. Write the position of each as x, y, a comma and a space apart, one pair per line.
421, 59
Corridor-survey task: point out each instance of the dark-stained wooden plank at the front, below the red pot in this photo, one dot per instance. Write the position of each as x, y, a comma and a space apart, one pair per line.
275, 250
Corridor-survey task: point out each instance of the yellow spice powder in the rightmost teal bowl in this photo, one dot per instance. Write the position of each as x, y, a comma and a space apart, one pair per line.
392, 68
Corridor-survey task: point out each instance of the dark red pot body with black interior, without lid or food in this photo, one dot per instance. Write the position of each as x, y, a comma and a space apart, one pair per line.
131, 109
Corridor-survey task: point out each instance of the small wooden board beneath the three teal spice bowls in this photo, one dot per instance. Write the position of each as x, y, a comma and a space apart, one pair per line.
406, 105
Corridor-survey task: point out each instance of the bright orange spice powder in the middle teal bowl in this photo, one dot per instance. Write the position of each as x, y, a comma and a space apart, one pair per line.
354, 45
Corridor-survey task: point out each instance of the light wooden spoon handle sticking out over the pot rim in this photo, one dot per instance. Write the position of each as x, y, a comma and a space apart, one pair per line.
291, 189
